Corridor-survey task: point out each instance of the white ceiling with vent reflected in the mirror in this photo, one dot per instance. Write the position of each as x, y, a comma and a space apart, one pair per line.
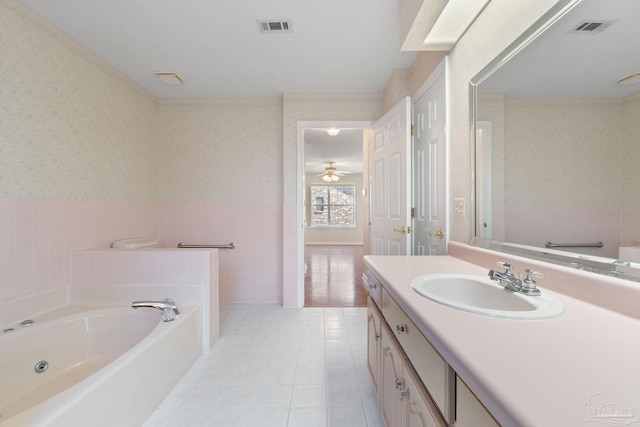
563, 64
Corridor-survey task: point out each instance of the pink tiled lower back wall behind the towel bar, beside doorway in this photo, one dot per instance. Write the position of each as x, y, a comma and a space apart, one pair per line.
250, 273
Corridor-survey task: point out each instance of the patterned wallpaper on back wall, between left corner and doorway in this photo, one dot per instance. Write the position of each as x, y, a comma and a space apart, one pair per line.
220, 151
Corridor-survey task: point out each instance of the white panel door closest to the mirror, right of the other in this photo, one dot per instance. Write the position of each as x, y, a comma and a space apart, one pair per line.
429, 163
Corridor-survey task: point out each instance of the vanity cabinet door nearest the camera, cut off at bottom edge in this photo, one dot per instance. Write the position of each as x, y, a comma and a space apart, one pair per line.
419, 410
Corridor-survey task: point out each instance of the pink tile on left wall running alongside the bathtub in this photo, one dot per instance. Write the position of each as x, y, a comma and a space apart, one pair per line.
38, 236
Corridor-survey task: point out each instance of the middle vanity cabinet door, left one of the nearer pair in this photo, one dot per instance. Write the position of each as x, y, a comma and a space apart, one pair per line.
392, 381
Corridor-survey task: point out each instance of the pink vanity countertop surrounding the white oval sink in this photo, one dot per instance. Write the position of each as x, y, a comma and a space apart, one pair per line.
553, 372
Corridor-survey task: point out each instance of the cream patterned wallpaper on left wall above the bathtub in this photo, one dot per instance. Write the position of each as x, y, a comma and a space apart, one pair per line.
71, 127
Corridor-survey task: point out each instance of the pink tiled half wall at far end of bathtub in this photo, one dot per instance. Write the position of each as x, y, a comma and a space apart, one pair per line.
120, 276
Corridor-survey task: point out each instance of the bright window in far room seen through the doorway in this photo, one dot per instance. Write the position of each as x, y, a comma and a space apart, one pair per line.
333, 205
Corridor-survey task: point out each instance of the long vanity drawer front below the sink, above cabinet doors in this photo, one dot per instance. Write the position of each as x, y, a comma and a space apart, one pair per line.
434, 371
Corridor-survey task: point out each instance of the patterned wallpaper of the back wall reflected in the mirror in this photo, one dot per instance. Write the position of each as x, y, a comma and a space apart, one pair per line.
563, 151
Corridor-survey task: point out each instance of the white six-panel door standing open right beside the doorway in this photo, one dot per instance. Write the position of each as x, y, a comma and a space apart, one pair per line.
390, 182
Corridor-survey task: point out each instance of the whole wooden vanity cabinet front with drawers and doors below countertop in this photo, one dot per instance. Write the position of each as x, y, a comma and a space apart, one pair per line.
414, 383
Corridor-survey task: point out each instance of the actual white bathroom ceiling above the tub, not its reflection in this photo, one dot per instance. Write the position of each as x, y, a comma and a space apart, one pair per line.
216, 46
